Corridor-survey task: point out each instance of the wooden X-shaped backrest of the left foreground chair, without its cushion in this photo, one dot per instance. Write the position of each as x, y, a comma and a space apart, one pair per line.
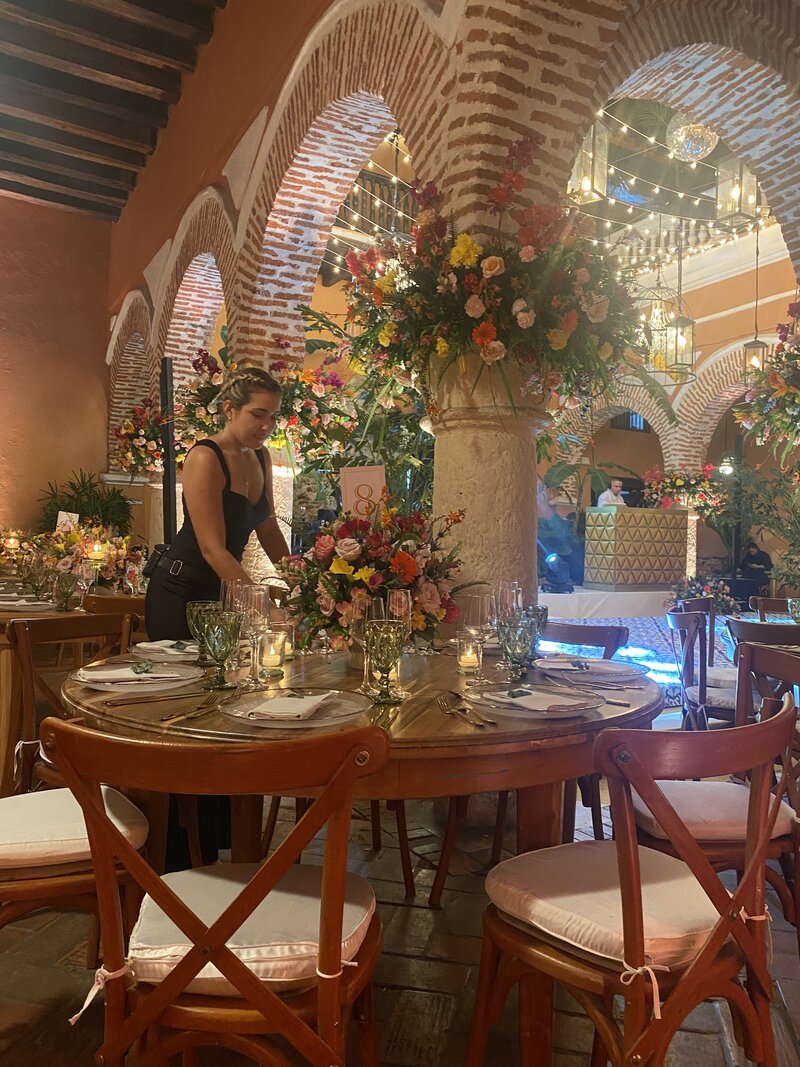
326, 768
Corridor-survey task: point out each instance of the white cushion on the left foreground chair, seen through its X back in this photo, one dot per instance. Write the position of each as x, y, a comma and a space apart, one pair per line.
279, 943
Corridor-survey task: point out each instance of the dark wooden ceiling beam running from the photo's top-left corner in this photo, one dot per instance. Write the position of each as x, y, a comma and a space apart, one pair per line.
74, 23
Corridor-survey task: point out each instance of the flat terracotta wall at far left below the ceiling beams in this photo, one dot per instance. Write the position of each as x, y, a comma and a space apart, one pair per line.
54, 332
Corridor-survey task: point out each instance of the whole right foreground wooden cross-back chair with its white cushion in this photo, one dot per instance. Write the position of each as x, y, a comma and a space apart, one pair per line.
680, 937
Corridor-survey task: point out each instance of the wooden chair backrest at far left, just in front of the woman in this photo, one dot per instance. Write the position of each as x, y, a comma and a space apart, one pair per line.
26, 635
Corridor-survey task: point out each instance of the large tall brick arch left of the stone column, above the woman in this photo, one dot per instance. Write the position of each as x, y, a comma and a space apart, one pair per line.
365, 69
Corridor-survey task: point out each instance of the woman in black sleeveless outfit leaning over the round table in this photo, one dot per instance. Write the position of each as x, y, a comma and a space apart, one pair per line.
228, 495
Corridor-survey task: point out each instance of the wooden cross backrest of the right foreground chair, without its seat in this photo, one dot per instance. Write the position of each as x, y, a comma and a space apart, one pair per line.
636, 760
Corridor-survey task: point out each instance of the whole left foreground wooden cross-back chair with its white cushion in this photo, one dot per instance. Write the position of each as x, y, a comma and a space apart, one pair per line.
170, 1009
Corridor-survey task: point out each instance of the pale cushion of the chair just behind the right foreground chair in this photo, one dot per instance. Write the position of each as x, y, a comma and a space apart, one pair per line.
712, 811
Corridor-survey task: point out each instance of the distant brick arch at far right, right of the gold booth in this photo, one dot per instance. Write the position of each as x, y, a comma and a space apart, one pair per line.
702, 404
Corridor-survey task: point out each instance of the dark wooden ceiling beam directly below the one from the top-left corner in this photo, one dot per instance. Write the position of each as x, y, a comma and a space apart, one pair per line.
42, 47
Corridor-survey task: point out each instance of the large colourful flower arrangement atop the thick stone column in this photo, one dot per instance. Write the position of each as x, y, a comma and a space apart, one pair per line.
543, 298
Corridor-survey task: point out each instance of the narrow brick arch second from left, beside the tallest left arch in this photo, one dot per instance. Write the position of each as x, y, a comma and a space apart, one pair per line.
198, 280
